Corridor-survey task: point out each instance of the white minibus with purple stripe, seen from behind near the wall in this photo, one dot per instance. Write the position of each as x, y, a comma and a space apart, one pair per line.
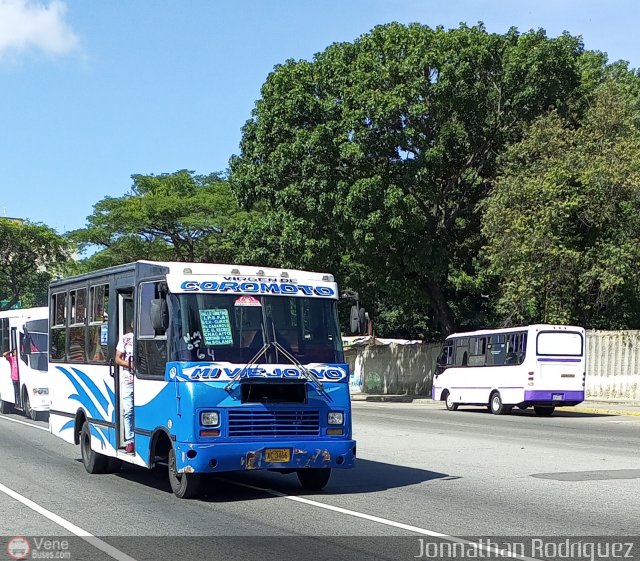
539, 366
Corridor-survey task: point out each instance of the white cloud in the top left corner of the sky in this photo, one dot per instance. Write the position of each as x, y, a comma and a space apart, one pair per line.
25, 25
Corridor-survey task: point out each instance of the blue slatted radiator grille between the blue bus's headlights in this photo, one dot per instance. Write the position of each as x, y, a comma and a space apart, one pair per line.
273, 423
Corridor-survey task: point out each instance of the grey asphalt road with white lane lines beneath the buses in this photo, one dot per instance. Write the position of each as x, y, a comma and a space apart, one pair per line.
422, 471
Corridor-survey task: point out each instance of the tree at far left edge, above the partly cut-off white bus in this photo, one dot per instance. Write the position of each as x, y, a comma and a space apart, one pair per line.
30, 255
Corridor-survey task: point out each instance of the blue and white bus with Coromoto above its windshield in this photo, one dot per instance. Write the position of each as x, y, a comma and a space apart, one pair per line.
235, 368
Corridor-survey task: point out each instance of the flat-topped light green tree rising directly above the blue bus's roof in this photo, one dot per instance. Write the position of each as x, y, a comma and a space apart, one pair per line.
177, 216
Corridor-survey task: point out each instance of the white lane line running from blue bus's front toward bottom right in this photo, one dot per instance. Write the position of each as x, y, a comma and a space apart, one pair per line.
387, 522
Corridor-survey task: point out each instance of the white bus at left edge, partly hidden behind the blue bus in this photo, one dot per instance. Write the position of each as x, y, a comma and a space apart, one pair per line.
25, 331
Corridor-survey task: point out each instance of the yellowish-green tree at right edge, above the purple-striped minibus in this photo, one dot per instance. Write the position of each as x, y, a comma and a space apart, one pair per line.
562, 224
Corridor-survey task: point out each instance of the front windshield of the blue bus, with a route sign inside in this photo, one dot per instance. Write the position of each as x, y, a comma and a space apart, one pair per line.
232, 328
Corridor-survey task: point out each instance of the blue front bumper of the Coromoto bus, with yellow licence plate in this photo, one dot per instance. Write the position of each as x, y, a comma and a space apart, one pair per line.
282, 455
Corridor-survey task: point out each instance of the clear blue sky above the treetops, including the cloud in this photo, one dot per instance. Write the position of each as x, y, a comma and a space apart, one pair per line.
92, 92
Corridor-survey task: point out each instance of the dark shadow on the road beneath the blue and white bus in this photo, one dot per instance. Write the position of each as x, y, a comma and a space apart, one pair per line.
367, 477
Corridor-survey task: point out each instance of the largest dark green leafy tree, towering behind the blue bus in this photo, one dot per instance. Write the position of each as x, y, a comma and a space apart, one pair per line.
371, 159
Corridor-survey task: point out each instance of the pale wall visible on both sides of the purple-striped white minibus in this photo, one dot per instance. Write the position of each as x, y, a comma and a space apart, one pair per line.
613, 367
